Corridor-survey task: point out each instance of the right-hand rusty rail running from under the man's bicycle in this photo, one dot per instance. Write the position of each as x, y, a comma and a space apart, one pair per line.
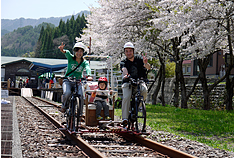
156, 146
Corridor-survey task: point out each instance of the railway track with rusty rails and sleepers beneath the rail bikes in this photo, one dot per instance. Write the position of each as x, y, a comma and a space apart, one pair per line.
99, 144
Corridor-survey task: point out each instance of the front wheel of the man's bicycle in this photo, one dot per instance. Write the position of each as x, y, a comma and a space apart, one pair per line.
140, 117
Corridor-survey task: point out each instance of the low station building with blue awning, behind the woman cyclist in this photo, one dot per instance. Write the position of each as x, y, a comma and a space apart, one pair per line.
21, 68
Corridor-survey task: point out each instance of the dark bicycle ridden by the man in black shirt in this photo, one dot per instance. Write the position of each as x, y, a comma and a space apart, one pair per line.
137, 114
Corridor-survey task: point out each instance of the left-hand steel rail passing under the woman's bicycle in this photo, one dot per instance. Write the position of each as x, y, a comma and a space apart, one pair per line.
83, 145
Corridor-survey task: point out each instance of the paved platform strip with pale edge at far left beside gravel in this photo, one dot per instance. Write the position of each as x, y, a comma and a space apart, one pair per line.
10, 137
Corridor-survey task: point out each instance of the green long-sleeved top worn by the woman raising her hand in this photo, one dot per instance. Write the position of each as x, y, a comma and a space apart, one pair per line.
72, 64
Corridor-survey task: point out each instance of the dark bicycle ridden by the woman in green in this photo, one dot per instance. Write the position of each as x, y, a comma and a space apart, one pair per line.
74, 110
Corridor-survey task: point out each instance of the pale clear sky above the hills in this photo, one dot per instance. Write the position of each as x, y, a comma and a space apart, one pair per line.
35, 9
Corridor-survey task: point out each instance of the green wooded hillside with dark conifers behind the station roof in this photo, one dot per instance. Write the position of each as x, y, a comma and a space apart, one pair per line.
43, 40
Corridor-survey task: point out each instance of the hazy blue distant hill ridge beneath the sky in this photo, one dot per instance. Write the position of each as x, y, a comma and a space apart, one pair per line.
10, 25
